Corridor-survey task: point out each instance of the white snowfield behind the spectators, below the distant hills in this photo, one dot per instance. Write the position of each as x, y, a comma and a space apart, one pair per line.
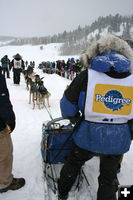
50, 52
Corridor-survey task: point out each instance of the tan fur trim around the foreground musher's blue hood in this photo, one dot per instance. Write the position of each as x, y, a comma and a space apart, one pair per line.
106, 44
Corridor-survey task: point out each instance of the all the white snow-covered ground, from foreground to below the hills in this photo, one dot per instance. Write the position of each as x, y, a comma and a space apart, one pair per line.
27, 134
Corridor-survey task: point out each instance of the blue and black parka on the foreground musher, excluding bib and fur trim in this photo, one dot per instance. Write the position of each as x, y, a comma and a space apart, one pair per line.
97, 137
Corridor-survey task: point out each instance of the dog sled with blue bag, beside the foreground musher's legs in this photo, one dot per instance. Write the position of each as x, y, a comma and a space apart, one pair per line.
56, 144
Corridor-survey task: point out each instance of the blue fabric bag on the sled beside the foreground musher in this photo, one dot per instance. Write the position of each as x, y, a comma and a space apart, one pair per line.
55, 134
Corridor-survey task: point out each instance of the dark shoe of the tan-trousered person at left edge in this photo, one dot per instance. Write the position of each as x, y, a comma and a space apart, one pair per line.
16, 184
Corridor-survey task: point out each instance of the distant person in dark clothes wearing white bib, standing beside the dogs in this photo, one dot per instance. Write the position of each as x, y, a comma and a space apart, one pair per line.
18, 66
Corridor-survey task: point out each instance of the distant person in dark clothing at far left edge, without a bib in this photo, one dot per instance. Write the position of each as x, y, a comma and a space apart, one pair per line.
5, 65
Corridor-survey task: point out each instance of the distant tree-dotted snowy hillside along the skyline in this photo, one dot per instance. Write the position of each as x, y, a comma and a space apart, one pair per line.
76, 41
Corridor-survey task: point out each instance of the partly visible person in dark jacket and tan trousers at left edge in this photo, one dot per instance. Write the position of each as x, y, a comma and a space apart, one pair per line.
7, 125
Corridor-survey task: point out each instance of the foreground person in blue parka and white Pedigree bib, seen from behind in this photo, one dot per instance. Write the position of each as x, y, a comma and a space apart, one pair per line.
103, 93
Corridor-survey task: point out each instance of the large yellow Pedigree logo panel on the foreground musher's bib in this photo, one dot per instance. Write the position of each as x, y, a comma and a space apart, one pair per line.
112, 99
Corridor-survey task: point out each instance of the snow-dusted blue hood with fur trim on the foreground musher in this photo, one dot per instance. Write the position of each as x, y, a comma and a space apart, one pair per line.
109, 52
